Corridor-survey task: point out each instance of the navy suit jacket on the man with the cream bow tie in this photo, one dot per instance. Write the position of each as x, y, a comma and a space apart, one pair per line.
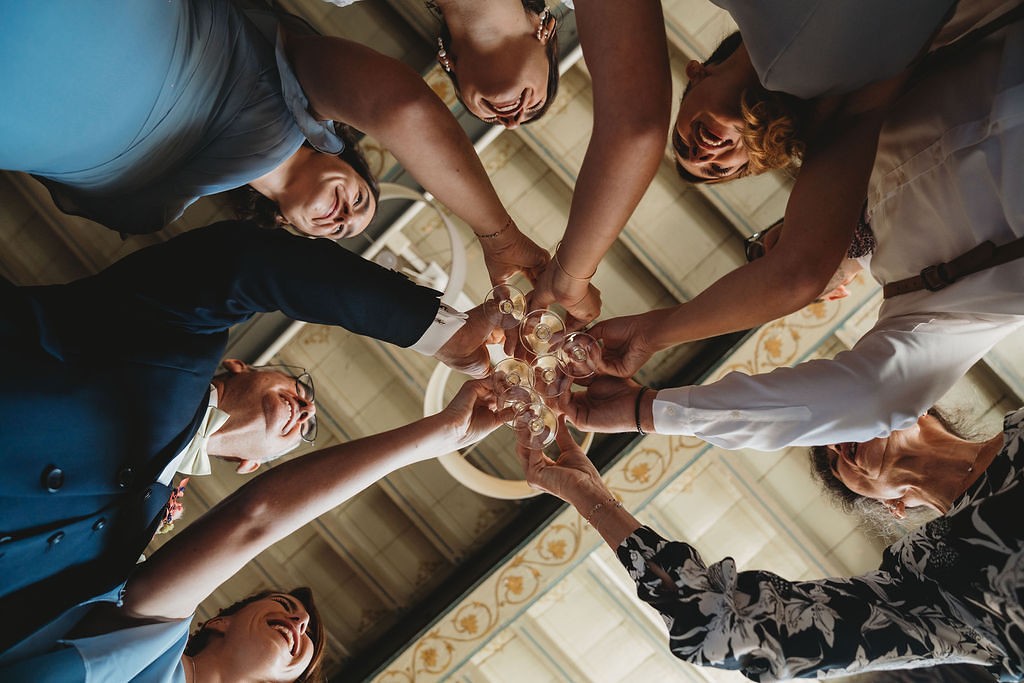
108, 378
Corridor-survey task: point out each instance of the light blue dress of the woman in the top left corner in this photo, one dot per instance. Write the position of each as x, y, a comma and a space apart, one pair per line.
130, 111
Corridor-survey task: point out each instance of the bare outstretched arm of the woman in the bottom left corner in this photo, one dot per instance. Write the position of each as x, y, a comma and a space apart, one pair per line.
276, 504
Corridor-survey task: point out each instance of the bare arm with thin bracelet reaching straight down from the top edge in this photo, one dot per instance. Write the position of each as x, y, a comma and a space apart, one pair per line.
625, 48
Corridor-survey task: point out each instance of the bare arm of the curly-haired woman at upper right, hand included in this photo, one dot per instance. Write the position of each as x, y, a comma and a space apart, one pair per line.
821, 219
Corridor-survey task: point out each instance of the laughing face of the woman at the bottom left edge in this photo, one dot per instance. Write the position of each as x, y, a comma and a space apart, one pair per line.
269, 638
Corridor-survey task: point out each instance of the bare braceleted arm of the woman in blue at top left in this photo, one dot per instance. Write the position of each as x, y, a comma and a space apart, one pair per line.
349, 82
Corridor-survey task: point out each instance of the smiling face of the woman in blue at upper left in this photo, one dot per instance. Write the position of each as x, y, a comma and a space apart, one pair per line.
325, 197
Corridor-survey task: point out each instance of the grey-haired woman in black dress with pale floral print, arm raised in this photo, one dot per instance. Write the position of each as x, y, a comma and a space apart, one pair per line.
950, 592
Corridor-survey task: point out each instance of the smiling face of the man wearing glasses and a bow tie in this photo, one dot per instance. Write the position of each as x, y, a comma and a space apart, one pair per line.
267, 414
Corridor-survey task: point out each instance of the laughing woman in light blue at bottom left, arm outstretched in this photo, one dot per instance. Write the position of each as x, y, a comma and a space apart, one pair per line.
140, 632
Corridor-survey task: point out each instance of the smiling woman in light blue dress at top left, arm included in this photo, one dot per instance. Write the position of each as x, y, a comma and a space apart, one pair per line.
129, 112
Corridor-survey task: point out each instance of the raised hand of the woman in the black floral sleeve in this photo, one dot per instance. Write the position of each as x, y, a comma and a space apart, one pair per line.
572, 478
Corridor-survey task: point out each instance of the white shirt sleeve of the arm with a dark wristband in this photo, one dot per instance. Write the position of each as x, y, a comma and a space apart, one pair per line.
891, 377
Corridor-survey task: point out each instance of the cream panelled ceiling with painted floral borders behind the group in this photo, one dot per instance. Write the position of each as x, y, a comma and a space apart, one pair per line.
421, 579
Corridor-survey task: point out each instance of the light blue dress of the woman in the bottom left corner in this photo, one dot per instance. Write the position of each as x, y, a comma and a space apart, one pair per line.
150, 654
